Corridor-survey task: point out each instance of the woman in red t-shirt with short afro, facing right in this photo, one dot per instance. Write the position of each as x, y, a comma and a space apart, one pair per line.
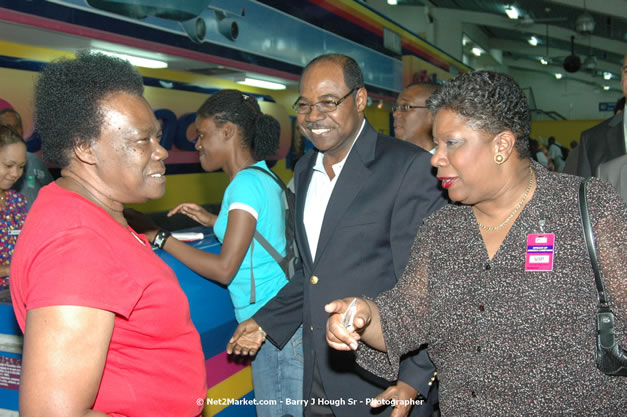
107, 328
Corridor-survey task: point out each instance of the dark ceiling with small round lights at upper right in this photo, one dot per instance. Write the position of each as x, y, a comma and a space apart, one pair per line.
485, 22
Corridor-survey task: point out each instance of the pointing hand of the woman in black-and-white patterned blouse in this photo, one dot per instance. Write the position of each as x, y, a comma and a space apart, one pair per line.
342, 332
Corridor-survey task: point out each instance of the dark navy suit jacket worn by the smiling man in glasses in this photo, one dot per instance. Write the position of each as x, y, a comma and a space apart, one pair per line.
383, 193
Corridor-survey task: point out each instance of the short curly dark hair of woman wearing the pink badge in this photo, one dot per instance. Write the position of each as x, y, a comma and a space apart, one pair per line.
490, 101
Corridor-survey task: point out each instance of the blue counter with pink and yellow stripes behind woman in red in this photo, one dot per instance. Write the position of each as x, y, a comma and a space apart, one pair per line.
230, 383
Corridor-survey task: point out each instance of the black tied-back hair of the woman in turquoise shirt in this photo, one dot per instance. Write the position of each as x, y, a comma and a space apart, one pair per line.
260, 132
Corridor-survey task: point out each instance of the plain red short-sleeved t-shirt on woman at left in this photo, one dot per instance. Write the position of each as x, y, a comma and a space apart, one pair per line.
71, 252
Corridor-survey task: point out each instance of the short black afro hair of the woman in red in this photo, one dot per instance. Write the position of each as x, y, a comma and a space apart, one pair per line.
69, 96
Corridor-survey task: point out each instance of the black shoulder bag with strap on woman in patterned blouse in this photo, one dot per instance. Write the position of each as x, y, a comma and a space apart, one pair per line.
611, 359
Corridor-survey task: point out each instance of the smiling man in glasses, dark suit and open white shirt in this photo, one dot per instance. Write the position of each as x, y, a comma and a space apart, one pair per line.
360, 198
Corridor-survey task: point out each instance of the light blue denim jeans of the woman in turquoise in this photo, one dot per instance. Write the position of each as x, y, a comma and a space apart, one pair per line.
278, 377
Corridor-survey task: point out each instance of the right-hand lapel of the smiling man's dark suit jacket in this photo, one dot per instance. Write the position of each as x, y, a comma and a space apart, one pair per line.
353, 175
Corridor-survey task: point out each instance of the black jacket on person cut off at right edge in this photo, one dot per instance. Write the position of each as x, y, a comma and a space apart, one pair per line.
599, 144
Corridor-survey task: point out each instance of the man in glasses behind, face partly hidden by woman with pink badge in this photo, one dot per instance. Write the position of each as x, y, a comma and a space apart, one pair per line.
413, 121
